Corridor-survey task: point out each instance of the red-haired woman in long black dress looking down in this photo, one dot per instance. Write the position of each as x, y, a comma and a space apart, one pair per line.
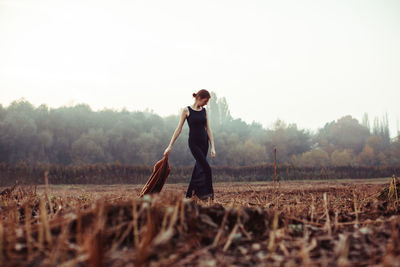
199, 136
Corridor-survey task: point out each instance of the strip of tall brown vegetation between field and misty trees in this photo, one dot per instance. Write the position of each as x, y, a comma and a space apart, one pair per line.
128, 174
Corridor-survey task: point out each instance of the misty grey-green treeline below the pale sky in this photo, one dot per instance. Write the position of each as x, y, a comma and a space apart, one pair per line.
78, 135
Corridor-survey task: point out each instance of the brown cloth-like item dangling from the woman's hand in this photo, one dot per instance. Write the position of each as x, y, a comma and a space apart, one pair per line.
157, 178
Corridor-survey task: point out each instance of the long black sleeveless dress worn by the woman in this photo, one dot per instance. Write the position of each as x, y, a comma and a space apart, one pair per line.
201, 181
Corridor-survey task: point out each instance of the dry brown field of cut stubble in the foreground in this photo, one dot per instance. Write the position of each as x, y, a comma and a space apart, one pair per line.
309, 223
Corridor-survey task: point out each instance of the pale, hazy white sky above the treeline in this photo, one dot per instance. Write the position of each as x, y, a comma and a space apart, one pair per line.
305, 62
